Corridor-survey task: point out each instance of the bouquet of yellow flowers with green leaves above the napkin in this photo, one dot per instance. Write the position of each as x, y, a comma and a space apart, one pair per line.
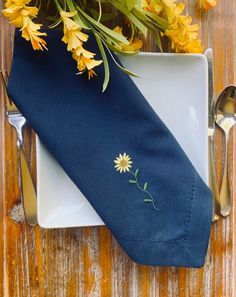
162, 18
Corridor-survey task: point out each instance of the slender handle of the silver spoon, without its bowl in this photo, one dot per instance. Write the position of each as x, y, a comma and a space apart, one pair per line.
225, 206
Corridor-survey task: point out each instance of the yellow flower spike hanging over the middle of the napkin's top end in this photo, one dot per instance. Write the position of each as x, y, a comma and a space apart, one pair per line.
74, 38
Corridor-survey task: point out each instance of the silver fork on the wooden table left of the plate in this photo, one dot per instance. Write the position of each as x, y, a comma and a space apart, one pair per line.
16, 119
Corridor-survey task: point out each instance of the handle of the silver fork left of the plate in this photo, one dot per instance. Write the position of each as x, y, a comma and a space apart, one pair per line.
28, 190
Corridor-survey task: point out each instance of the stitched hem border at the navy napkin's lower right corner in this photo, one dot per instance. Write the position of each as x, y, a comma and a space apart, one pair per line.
188, 251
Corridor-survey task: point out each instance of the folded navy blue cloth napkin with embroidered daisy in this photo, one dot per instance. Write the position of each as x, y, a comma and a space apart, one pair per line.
118, 152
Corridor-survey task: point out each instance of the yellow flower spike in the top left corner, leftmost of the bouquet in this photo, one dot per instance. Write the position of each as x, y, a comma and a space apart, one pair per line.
21, 16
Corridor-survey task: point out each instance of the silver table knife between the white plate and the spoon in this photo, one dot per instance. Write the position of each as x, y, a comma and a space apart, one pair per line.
211, 130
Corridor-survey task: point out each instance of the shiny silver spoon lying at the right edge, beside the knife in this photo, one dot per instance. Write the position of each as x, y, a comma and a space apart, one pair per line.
225, 116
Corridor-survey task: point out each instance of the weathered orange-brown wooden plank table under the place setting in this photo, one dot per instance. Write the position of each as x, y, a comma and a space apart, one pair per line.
88, 261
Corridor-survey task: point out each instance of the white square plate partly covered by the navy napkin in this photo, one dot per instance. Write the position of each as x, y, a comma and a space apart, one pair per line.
176, 86
